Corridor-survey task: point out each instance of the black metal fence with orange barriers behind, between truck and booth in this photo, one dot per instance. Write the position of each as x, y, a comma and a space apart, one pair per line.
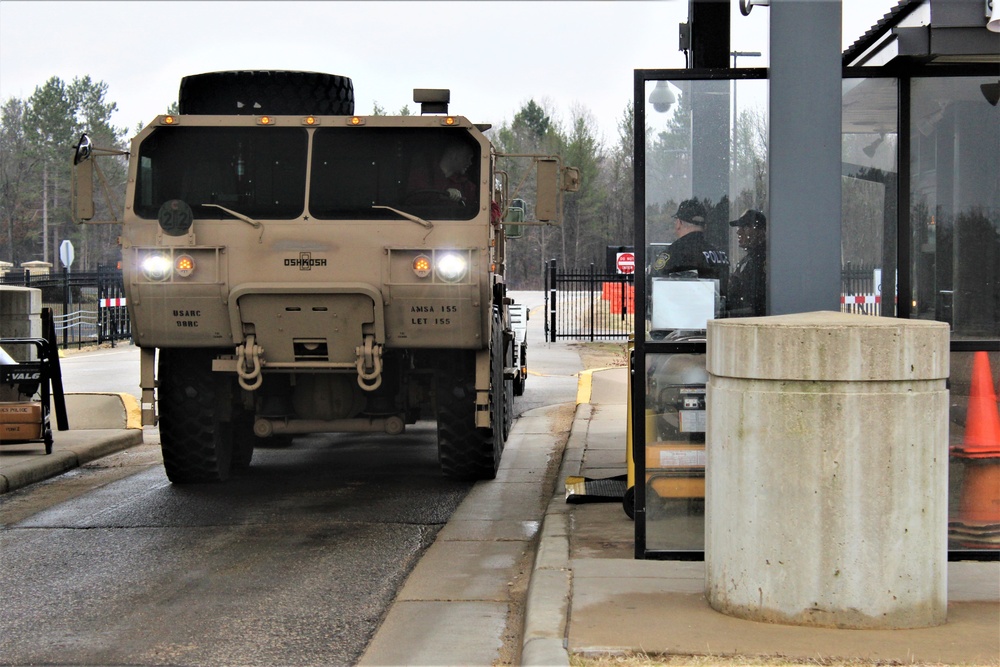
588, 305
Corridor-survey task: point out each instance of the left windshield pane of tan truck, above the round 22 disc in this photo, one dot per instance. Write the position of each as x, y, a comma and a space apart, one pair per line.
258, 171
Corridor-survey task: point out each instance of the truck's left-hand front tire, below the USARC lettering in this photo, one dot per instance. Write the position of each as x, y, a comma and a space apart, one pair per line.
195, 434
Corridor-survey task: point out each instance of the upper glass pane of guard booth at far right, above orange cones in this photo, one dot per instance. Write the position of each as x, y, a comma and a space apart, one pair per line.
955, 205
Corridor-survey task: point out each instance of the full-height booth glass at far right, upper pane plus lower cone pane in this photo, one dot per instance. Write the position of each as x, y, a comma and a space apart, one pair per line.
954, 247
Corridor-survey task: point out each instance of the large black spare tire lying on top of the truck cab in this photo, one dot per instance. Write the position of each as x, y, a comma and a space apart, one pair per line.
258, 92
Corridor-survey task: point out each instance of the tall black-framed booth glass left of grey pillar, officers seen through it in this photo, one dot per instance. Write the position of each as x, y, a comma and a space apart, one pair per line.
703, 256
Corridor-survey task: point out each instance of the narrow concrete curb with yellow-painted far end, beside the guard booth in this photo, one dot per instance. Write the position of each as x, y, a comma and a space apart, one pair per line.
547, 605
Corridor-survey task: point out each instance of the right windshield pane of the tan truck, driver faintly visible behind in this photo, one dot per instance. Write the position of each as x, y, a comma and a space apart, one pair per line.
429, 172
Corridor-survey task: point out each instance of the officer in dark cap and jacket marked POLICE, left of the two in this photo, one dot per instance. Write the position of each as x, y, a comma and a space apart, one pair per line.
691, 251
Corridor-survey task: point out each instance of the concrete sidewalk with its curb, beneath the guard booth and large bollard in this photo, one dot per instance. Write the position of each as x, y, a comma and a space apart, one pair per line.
589, 595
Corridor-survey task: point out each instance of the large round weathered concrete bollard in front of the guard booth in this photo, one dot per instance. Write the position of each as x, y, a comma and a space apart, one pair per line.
827, 470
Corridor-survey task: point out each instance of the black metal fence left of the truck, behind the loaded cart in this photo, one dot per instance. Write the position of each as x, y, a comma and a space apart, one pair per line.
87, 307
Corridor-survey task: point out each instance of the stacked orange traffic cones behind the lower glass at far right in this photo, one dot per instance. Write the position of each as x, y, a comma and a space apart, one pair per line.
978, 523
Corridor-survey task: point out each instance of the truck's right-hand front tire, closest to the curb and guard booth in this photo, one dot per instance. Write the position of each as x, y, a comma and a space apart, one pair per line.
466, 452
